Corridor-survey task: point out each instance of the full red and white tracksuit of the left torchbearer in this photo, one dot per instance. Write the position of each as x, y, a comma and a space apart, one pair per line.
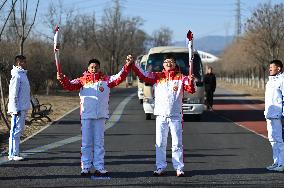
94, 110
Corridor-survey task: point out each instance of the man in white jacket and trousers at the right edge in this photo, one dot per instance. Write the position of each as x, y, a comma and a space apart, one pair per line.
274, 93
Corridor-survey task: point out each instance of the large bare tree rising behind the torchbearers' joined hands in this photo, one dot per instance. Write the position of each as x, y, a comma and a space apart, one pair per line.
117, 35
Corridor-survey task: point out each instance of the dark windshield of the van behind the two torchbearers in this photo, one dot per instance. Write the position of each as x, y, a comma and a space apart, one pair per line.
155, 63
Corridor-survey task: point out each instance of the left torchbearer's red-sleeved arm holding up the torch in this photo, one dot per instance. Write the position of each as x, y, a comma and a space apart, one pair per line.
67, 84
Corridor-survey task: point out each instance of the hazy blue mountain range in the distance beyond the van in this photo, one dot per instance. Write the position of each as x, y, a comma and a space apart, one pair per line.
211, 44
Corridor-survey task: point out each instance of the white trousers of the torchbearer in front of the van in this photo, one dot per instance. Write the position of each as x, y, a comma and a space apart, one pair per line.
163, 124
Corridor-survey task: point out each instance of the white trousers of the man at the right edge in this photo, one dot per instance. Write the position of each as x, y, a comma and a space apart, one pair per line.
275, 137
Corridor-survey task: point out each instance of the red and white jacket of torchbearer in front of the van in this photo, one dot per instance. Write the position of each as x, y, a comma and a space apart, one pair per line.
168, 90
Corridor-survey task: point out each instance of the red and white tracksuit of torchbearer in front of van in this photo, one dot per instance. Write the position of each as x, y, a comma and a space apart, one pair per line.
168, 91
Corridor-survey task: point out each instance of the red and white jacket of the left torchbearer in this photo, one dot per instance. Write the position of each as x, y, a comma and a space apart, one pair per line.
94, 92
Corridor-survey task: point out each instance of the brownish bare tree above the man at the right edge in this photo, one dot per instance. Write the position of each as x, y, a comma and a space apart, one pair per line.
265, 33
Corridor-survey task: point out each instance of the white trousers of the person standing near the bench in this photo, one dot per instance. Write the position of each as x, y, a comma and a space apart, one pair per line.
17, 128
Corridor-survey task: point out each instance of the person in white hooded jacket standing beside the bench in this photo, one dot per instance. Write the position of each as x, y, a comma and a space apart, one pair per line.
19, 104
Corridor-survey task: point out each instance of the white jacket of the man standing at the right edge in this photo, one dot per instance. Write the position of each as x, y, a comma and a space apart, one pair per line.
274, 93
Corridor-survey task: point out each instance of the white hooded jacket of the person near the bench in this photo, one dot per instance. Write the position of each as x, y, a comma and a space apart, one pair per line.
19, 91
